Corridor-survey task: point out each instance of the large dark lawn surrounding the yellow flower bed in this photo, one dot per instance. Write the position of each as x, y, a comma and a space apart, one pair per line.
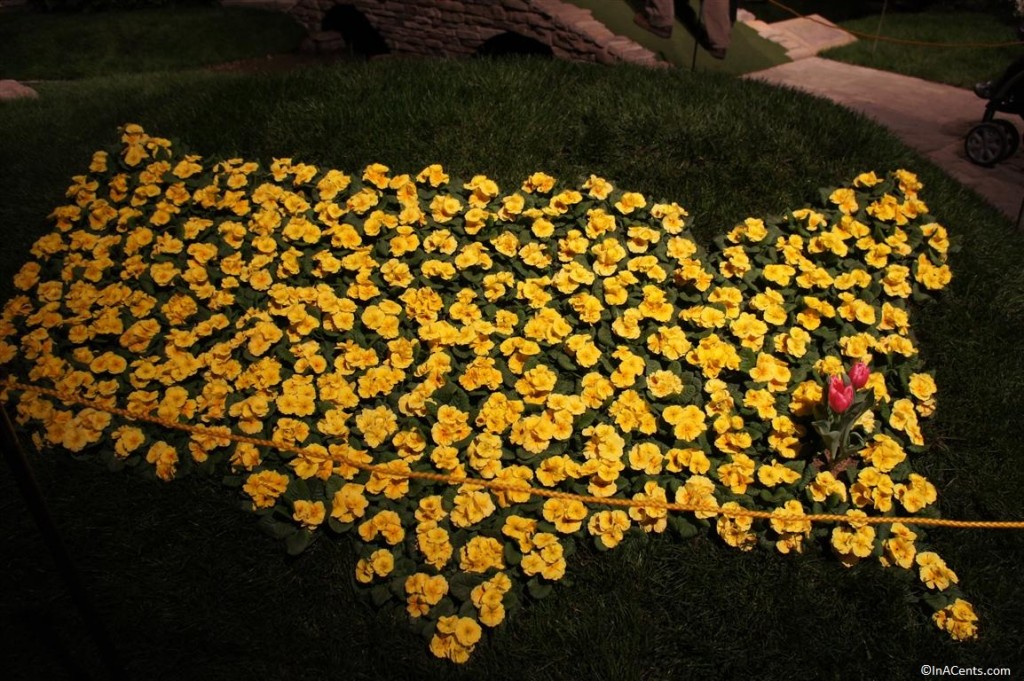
192, 590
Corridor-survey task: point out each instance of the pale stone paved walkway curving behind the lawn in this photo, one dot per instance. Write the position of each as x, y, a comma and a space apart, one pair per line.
932, 118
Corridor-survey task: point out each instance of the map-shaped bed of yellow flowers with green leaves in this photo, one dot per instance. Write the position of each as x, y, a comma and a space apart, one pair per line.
573, 339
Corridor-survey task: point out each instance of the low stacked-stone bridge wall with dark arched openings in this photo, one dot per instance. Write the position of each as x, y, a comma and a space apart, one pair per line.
459, 28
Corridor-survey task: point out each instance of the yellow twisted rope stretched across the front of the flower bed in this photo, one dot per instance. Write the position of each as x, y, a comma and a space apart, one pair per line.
510, 488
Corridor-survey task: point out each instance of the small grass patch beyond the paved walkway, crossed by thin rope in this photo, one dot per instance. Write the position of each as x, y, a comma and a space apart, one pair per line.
962, 67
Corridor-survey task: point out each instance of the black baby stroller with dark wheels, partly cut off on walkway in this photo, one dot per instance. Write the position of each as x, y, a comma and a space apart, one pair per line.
996, 140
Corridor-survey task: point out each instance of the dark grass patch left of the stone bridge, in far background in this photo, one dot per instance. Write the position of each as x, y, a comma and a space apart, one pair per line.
36, 46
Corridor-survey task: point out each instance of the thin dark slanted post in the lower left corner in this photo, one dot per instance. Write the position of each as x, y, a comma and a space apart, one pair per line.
14, 455
